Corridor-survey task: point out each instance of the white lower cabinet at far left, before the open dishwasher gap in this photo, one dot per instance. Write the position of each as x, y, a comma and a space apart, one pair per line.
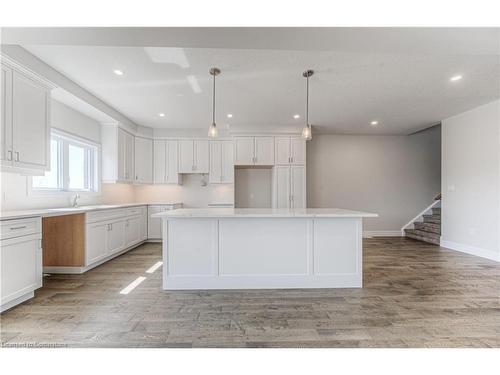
20, 259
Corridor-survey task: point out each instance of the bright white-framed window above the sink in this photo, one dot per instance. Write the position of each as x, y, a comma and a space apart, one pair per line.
73, 166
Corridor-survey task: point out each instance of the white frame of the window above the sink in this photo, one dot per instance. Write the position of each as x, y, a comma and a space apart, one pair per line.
93, 167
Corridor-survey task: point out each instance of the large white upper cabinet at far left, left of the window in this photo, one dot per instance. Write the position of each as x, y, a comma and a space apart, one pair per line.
25, 121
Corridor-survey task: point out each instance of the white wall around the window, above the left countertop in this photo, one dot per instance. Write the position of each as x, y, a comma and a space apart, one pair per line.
15, 194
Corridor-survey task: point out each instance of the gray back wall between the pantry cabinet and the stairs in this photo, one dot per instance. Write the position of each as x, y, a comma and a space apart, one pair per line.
394, 176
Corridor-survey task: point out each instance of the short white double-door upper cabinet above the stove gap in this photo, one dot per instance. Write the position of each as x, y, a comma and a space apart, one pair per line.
193, 156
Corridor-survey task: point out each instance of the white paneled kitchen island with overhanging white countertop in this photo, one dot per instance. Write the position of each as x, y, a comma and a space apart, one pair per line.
227, 248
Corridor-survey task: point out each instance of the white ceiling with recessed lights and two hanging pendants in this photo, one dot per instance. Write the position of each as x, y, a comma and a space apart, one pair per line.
403, 90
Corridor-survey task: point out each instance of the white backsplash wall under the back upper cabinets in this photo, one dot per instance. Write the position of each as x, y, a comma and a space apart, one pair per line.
191, 193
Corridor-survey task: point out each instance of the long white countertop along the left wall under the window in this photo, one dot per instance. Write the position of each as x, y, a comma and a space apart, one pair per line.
45, 212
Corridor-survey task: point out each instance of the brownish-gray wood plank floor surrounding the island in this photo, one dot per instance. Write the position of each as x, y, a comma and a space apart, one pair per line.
415, 295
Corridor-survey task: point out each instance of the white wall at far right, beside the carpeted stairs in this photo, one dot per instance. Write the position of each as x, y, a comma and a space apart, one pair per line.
471, 181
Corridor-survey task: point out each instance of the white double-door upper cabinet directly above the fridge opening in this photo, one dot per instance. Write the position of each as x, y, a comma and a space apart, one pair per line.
254, 150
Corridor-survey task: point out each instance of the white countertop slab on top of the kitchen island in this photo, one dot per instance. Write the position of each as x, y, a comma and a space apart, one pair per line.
262, 212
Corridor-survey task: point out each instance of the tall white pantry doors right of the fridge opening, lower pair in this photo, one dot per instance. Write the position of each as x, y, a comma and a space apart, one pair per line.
289, 187
